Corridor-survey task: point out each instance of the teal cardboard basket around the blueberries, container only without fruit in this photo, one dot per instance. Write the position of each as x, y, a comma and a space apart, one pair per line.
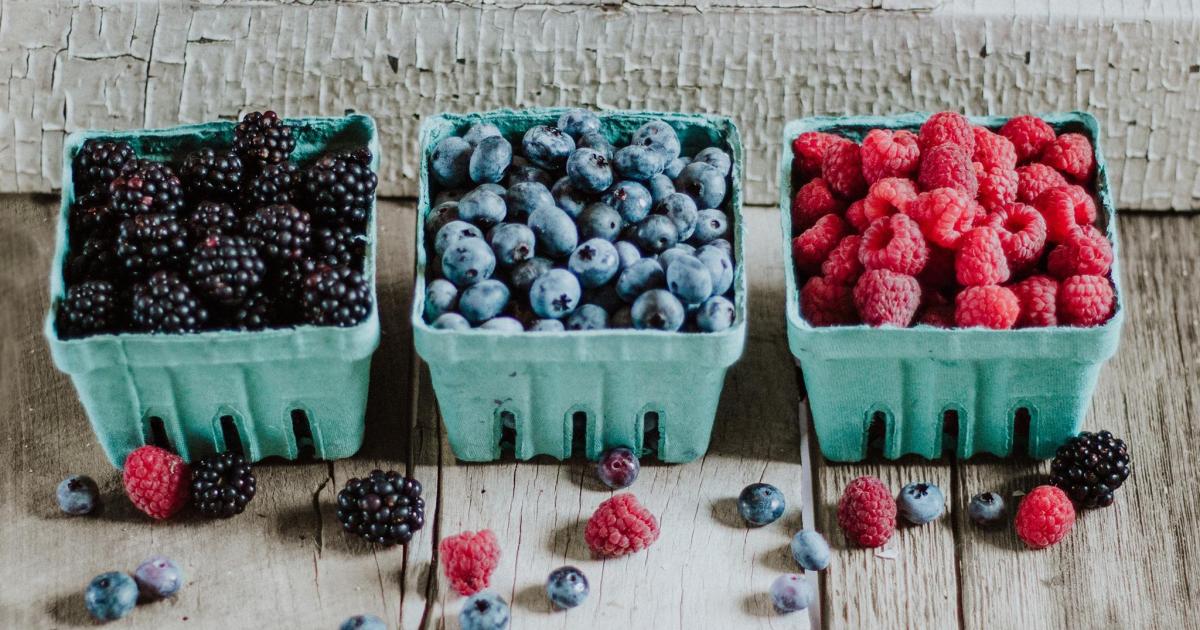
647, 391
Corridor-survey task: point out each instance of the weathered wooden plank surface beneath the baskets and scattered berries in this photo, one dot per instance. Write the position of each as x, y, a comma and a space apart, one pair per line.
285, 563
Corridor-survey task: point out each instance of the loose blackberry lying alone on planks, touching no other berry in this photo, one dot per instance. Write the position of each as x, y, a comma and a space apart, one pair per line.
385, 508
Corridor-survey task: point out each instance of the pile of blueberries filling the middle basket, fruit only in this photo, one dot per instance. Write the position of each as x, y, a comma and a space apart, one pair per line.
577, 233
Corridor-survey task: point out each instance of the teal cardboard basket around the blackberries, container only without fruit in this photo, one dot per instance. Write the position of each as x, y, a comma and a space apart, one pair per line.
286, 393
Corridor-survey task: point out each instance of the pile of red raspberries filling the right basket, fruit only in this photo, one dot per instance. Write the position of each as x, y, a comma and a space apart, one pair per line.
953, 226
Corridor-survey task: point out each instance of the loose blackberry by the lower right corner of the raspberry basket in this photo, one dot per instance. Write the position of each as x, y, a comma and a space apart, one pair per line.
1091, 467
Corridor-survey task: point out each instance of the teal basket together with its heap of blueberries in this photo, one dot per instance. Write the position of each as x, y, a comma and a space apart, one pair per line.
579, 280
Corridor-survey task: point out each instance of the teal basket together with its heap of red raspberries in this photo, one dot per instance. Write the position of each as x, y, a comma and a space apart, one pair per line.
955, 284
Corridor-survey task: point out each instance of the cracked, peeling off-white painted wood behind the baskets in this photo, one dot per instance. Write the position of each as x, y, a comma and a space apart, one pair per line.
68, 65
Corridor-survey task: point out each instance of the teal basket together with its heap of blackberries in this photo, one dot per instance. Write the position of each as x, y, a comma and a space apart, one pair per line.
214, 285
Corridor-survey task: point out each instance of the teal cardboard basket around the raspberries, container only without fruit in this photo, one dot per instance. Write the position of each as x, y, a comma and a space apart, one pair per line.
969, 391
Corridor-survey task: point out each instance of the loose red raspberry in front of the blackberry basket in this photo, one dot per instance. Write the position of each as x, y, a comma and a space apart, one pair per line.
158, 482
